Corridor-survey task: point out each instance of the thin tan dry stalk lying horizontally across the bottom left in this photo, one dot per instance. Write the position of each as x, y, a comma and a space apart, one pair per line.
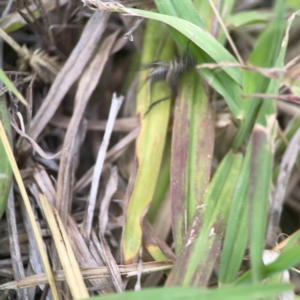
88, 273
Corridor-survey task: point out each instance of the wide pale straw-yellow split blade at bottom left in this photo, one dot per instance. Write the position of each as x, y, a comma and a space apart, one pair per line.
64, 249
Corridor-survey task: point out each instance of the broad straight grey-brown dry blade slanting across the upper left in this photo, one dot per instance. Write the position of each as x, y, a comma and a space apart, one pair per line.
70, 72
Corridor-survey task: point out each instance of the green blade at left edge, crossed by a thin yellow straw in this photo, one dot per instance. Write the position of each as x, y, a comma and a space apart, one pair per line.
5, 167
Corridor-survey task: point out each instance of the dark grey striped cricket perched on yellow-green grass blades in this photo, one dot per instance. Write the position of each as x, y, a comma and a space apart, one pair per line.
170, 71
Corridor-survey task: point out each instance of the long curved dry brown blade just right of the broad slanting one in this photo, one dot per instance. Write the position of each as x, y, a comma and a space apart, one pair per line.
86, 87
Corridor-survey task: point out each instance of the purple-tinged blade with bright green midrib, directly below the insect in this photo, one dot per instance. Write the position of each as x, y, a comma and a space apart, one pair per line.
192, 150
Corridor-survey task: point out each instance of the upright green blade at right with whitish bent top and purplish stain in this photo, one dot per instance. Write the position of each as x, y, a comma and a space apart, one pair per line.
263, 141
